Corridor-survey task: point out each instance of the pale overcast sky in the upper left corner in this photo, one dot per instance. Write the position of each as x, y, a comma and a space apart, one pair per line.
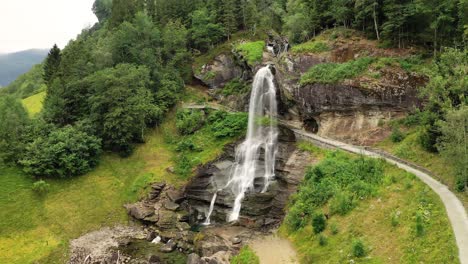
28, 24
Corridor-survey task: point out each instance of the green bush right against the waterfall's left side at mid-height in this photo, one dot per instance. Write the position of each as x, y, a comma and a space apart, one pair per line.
225, 124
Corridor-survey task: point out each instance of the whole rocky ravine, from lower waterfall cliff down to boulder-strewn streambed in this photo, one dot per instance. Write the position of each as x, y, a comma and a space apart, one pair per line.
171, 218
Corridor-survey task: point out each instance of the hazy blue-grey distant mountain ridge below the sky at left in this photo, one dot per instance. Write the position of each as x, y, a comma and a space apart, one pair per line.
12, 65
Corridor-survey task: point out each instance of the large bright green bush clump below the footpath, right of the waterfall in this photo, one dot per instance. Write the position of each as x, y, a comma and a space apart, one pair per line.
338, 180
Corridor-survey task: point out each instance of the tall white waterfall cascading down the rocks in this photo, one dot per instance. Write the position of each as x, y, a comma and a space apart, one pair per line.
262, 133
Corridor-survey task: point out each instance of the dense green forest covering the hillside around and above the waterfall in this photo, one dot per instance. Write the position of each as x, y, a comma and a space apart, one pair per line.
123, 74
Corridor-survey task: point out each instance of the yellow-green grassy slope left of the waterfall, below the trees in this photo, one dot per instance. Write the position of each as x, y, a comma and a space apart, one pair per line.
36, 229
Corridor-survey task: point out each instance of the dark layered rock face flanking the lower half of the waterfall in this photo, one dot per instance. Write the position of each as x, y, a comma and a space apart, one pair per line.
258, 209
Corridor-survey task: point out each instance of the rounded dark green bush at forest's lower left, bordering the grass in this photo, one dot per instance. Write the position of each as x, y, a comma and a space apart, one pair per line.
62, 153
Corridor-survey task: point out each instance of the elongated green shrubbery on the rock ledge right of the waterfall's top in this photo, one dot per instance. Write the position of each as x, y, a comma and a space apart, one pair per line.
328, 73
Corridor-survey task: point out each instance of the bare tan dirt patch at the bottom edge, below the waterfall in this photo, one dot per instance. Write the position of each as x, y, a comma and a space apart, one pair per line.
273, 249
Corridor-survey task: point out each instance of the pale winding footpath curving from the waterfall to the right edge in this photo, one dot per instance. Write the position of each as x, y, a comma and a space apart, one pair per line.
455, 210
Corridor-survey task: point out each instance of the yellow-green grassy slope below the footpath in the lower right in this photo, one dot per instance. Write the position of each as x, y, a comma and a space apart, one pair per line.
384, 223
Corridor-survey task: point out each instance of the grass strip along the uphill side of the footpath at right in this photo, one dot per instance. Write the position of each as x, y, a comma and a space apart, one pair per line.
410, 149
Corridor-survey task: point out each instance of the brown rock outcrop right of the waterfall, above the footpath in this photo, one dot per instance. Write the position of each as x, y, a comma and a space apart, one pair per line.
353, 109
